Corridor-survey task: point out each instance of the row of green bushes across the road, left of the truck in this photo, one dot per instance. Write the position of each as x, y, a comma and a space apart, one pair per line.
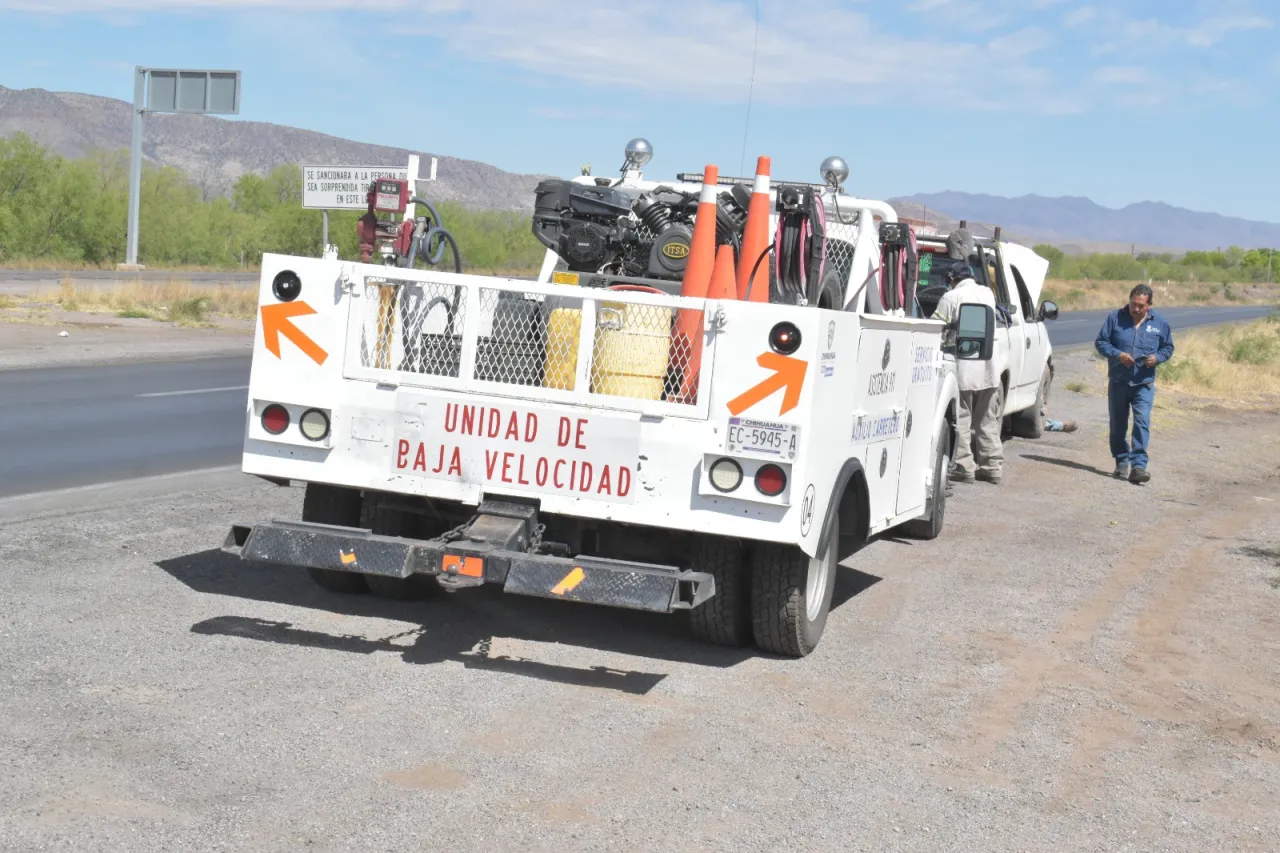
60, 211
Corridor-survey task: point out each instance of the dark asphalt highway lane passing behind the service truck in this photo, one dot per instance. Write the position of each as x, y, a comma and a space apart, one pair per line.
99, 425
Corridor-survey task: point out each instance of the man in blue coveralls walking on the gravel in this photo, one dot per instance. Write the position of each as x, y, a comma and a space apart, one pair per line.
1135, 340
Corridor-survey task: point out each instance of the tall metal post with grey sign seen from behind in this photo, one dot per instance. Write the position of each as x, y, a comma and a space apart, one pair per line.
156, 90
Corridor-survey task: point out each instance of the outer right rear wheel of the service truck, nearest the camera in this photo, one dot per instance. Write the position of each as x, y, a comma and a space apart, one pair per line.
792, 595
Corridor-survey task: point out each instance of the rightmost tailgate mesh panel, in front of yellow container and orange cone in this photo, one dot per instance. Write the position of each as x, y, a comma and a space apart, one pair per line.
647, 353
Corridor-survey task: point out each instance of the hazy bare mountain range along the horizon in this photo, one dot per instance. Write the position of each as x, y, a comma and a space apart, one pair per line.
216, 152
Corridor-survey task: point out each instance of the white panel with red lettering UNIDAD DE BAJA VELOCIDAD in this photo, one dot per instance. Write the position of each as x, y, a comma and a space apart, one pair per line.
505, 448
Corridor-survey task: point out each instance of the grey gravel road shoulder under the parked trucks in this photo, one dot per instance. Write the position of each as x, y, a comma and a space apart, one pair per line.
1077, 664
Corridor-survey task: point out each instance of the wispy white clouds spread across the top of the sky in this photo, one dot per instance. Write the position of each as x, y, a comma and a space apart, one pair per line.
970, 54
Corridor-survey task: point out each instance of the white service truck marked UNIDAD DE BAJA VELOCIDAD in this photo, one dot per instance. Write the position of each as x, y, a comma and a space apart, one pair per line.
546, 436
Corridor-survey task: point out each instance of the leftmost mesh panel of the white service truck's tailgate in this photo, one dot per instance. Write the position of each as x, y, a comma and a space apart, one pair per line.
413, 327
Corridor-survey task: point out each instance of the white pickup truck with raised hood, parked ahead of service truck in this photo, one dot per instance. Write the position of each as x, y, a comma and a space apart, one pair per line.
1017, 276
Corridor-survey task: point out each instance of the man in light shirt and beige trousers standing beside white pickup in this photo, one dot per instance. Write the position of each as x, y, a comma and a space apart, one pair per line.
980, 389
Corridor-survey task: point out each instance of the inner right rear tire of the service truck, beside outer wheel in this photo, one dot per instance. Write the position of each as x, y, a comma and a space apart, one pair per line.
725, 619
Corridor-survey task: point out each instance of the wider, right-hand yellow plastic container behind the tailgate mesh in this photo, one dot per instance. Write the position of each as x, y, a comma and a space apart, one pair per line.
633, 348
